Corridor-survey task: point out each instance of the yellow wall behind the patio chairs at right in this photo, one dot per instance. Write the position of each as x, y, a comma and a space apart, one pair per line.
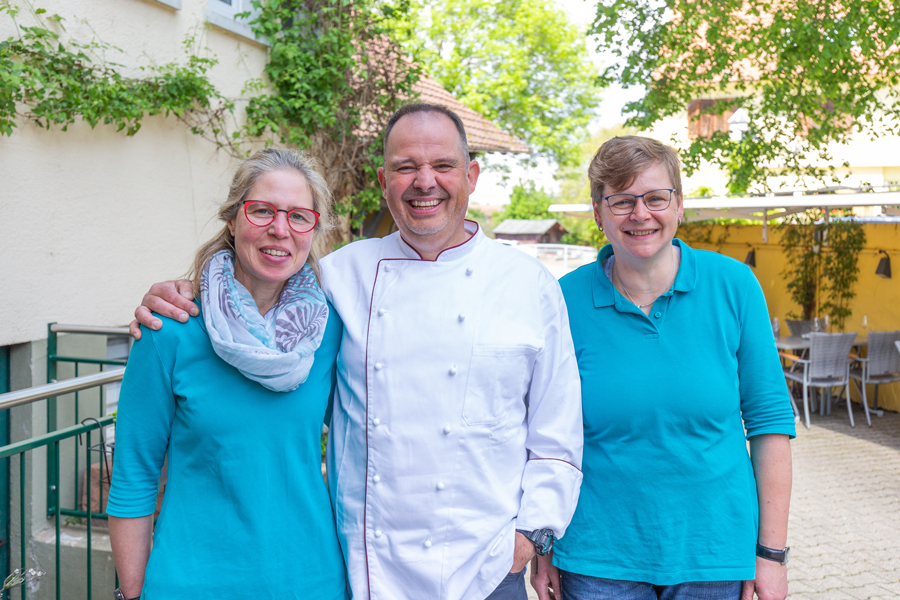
876, 298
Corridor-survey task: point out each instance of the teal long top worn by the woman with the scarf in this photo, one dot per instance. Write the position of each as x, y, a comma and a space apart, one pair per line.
245, 511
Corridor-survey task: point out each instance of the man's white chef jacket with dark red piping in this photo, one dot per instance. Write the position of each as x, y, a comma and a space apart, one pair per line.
457, 416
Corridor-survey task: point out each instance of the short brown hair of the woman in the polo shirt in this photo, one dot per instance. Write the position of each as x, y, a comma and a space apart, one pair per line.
620, 160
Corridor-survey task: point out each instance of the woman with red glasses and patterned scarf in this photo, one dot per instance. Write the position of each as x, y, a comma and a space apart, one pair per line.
236, 400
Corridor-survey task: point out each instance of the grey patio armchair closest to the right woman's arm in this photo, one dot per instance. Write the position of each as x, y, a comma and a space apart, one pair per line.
828, 366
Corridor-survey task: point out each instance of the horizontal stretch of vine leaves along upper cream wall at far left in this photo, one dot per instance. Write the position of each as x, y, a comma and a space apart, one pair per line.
59, 81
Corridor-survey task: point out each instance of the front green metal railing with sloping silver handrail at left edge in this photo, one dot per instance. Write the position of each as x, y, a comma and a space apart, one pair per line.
51, 441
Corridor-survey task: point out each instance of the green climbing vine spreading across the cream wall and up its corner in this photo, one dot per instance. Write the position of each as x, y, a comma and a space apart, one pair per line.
333, 78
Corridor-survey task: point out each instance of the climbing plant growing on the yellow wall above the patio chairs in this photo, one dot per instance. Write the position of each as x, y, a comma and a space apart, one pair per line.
822, 263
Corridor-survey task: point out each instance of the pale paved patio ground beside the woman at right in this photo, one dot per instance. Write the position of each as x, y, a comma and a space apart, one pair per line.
845, 509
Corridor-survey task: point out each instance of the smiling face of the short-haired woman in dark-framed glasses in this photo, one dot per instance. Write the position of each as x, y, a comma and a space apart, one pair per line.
643, 234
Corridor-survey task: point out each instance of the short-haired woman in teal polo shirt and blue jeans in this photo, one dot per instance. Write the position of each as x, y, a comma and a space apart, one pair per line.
676, 359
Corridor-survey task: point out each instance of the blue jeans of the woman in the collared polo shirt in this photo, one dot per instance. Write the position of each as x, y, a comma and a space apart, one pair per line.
585, 587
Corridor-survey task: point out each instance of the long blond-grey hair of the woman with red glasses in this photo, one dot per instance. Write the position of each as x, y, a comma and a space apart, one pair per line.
246, 176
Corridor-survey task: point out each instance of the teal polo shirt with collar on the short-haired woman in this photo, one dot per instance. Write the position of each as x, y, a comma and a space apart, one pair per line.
669, 494
